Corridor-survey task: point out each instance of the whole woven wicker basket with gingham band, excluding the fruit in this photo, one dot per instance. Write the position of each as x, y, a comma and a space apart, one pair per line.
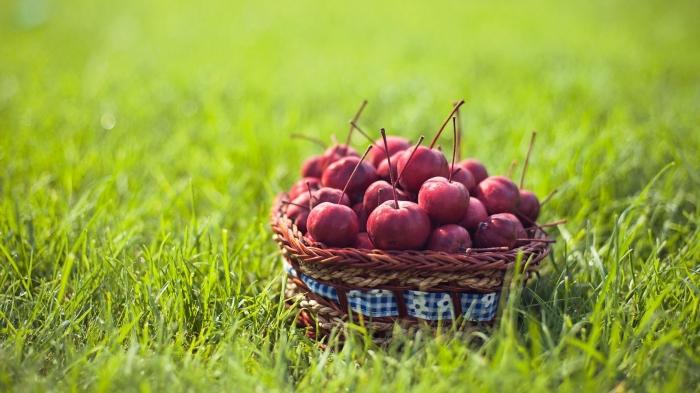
379, 289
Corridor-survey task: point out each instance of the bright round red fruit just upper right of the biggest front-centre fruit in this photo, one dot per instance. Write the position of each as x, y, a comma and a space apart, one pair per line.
445, 202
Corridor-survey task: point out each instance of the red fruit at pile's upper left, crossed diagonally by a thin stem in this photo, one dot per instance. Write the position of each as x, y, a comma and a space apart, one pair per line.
338, 173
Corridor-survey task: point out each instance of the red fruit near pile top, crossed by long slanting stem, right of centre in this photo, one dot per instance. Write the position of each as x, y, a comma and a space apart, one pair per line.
425, 164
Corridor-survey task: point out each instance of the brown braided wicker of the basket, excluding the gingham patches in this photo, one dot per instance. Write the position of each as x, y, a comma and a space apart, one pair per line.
347, 269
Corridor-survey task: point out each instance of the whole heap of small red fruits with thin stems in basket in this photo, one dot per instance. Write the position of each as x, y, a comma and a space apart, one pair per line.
398, 196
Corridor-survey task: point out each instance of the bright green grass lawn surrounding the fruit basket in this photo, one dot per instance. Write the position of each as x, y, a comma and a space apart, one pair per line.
142, 142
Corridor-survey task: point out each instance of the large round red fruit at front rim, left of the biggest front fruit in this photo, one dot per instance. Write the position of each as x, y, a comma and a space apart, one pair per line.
333, 225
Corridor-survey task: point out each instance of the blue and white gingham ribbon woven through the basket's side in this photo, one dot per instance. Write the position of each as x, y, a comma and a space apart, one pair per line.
431, 306
